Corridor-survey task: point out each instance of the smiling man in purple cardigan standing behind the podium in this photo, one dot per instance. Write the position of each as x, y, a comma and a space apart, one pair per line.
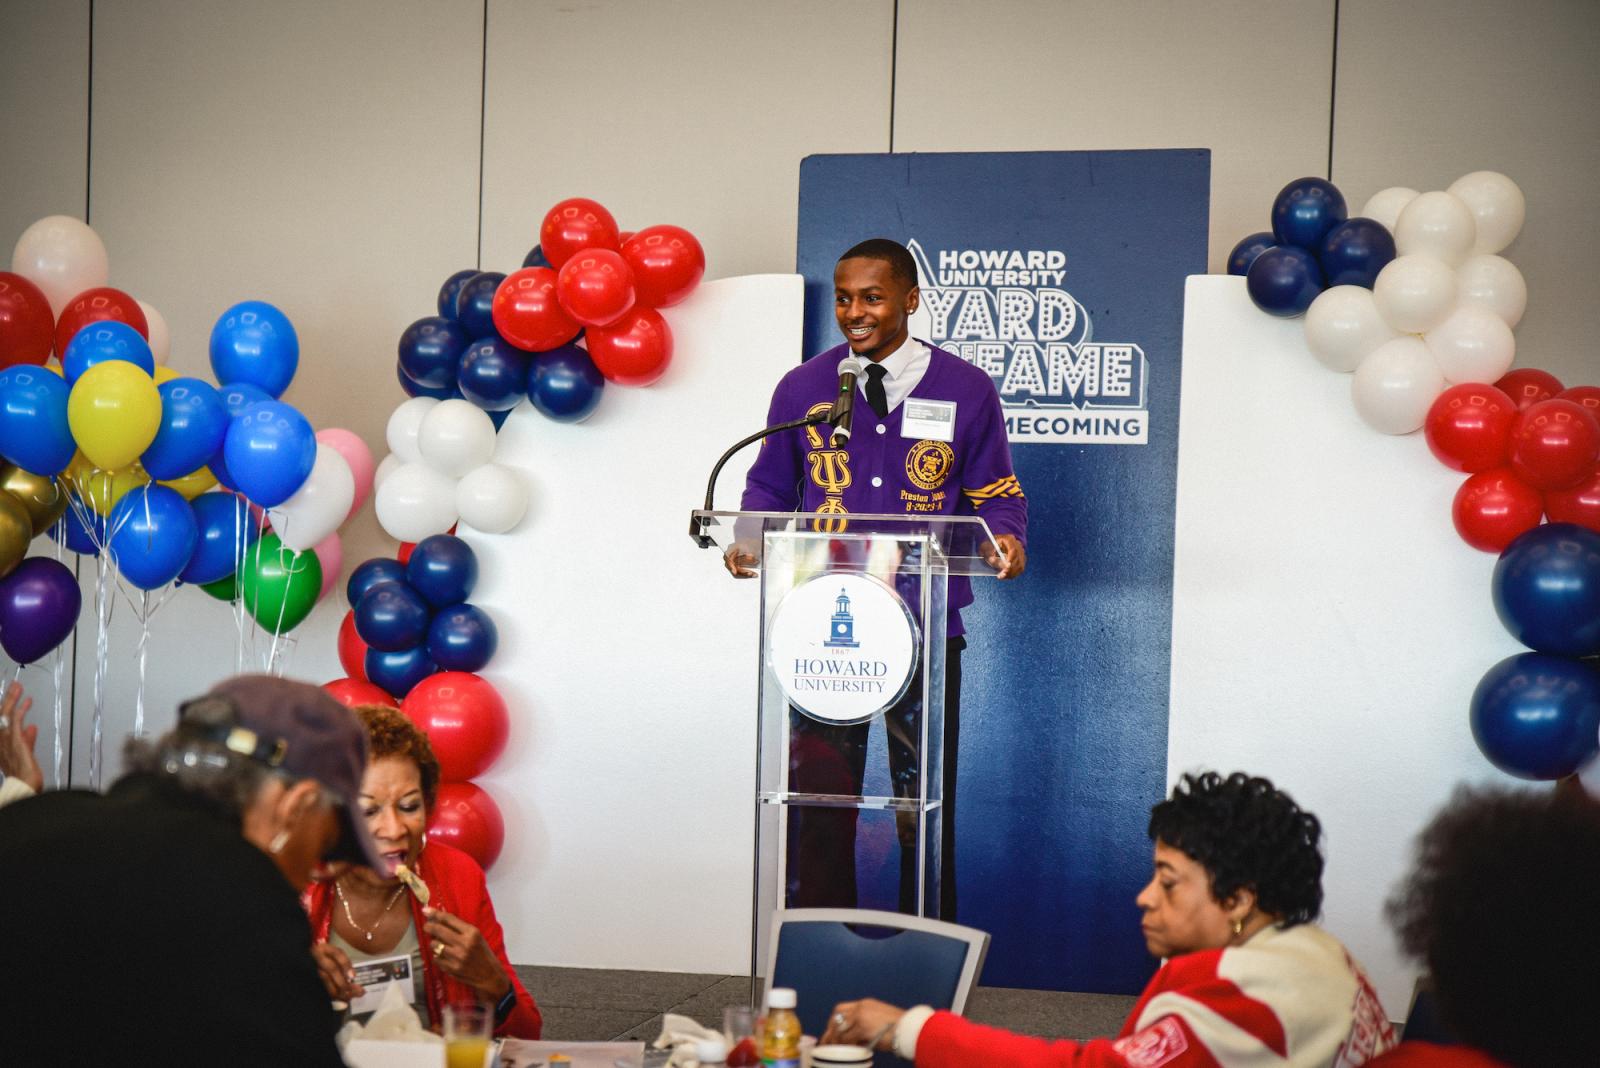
927, 439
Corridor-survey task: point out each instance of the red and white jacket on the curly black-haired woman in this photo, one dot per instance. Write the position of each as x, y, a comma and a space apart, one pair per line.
1287, 998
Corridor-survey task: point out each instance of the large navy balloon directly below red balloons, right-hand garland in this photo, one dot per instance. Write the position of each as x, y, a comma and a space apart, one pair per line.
1548, 589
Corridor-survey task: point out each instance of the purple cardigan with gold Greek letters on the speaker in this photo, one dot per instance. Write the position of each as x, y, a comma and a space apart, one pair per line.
884, 472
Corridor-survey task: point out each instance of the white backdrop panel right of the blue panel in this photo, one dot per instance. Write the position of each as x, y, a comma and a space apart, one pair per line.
1329, 626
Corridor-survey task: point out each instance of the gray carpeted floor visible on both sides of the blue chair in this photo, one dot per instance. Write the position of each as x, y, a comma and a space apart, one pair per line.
602, 1005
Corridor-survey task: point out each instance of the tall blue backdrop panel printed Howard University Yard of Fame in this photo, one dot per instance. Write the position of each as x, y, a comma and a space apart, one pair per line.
1063, 276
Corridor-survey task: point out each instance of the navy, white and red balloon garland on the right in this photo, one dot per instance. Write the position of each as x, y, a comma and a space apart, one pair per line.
1418, 303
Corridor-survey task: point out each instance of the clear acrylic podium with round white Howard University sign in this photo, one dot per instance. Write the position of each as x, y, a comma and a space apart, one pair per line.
854, 628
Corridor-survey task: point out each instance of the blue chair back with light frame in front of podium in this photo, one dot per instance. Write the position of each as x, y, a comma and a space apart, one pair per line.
831, 955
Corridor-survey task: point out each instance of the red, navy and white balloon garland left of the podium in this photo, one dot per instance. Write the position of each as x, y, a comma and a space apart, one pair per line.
583, 311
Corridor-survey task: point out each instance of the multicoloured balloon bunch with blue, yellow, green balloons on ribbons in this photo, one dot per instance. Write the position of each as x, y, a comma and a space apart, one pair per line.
162, 479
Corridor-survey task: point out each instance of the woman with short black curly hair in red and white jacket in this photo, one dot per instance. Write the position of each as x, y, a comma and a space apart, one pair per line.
1249, 979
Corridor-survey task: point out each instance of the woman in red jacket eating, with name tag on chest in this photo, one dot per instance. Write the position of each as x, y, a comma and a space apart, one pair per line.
449, 928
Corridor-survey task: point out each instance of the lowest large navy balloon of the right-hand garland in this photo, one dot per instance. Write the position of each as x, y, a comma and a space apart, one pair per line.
1537, 717
